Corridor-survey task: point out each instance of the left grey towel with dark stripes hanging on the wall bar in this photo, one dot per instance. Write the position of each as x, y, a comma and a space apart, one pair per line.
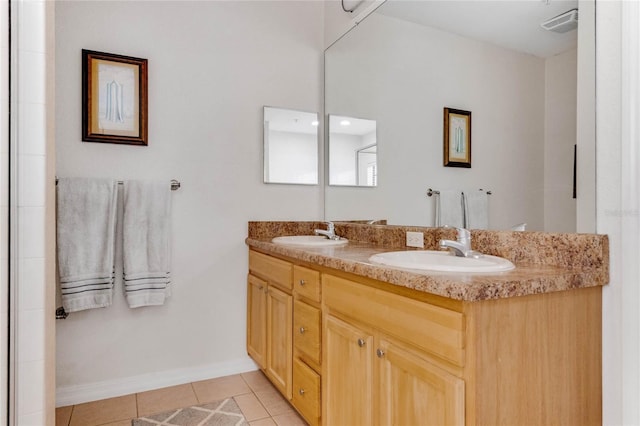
86, 242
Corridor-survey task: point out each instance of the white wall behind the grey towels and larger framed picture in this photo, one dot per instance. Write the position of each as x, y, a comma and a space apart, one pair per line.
212, 68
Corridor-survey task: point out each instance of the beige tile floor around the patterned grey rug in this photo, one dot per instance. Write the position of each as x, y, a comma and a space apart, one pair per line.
260, 402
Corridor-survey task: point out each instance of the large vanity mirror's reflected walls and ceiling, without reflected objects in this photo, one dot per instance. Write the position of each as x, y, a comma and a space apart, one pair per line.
410, 59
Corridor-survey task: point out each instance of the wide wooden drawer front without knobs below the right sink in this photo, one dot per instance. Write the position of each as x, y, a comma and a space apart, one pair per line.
437, 330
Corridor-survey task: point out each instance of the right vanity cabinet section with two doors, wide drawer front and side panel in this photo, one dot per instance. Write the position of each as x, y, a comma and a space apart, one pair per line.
525, 360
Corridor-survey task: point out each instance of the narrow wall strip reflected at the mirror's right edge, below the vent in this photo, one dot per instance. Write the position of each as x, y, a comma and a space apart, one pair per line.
559, 142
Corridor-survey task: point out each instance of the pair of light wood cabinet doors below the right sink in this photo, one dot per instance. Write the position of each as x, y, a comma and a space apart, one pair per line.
371, 379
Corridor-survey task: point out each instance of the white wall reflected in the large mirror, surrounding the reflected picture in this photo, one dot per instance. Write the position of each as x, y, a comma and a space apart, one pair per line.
403, 81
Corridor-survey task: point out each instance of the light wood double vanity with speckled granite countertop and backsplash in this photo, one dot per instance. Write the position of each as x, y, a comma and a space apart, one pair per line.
350, 342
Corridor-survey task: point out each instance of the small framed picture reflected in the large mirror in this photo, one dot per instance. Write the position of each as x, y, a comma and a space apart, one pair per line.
457, 138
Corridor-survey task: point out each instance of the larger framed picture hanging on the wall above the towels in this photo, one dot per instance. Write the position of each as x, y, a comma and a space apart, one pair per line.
114, 98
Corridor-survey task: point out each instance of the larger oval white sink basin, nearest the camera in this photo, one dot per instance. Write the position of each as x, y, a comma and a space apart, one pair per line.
441, 261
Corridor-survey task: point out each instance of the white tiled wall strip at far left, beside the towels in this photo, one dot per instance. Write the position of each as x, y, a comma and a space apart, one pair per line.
32, 200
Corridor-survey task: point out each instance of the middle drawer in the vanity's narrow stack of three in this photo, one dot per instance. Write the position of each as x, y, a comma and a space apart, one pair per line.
306, 330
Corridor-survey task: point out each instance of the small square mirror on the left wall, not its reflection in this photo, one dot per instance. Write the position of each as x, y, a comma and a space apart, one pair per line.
290, 146
